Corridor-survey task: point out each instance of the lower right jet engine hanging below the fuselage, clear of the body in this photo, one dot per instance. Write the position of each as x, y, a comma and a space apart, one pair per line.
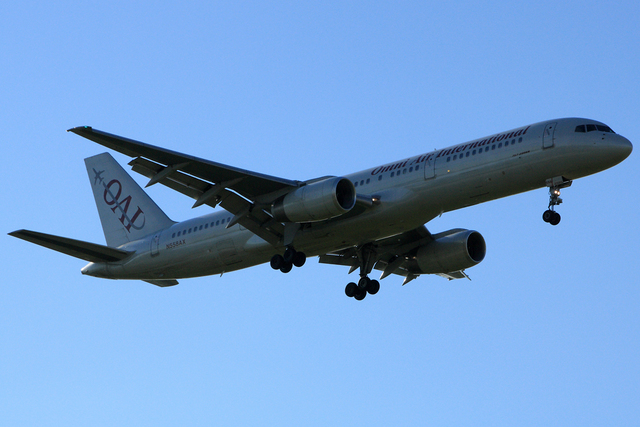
453, 252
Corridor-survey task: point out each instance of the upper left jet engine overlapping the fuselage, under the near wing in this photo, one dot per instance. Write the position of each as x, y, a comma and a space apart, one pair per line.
316, 201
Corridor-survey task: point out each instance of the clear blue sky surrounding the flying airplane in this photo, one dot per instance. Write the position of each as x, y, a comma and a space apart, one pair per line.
546, 333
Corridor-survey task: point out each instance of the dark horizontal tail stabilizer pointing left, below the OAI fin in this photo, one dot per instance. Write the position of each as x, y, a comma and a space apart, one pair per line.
76, 248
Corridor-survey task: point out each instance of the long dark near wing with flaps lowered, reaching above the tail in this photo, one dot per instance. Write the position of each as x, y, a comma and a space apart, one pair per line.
247, 195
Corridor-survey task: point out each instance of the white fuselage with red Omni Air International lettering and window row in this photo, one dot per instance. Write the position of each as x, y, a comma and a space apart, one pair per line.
408, 194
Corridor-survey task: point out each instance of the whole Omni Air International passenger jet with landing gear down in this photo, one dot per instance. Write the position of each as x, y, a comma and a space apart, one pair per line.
372, 219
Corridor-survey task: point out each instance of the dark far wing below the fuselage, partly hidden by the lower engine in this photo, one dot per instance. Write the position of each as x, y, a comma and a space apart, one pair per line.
393, 255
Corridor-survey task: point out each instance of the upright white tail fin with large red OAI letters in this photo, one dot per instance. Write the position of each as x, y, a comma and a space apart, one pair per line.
127, 213
